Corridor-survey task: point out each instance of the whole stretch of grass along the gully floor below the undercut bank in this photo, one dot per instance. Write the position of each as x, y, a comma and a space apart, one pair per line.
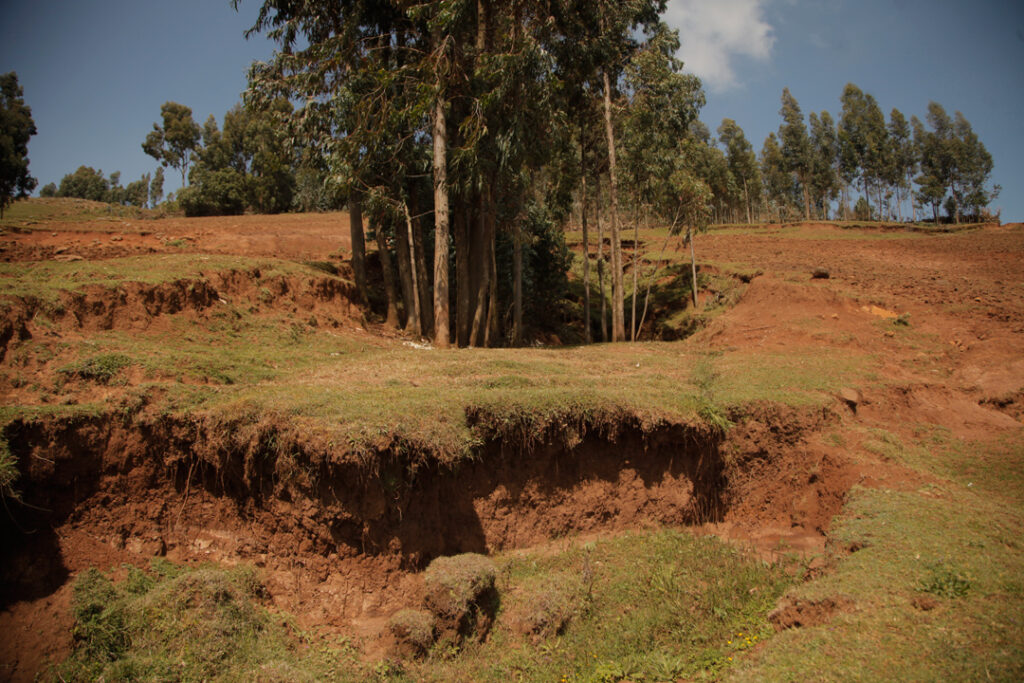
651, 606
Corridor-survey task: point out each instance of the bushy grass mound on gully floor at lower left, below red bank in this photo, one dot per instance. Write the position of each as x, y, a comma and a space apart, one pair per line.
175, 623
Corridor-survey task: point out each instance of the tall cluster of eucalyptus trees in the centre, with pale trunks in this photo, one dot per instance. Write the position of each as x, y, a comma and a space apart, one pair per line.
466, 132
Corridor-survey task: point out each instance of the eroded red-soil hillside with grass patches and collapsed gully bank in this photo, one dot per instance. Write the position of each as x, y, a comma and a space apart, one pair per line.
231, 403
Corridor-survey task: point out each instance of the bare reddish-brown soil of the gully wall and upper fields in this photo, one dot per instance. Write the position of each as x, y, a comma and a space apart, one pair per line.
340, 543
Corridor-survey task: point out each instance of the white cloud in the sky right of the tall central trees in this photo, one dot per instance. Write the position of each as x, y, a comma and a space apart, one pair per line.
714, 33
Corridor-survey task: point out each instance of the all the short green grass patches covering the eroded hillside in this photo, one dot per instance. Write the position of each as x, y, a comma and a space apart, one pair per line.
661, 605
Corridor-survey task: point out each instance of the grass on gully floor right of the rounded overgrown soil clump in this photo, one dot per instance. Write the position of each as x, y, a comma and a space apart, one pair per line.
655, 606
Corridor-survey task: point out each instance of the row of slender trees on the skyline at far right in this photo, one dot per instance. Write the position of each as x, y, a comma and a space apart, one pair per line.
806, 168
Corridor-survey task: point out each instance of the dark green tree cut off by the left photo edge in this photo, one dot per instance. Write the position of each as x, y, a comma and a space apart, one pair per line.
16, 130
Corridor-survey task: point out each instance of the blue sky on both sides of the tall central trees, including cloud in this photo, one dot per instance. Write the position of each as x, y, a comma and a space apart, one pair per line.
96, 72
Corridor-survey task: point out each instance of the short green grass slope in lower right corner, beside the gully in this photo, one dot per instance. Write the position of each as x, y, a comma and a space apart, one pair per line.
936, 583
